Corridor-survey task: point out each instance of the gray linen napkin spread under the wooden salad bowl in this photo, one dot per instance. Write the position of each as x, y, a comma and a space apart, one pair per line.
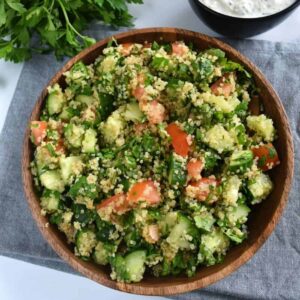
273, 273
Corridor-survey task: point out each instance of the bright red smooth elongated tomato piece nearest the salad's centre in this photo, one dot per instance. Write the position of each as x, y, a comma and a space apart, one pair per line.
180, 141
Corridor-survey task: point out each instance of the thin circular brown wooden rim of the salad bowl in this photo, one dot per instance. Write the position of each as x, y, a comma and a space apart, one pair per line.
170, 288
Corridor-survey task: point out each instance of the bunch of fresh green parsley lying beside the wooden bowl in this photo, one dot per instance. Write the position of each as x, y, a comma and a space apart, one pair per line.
54, 25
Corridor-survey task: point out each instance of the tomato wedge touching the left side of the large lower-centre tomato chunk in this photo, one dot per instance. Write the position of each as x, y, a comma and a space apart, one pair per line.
116, 204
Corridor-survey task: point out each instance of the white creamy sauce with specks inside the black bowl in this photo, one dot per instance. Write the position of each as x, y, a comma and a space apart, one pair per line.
247, 8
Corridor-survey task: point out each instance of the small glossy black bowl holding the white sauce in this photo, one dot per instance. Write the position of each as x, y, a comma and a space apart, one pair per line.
239, 27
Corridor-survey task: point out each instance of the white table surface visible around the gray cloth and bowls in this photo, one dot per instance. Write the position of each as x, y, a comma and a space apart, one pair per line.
20, 280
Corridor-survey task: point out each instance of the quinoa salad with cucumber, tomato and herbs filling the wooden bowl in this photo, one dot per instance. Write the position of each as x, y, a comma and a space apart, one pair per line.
151, 158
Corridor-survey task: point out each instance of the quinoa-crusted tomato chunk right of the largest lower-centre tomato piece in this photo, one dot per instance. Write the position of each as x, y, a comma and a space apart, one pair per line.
202, 188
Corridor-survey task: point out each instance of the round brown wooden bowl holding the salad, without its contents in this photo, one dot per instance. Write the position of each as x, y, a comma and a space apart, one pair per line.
262, 220
